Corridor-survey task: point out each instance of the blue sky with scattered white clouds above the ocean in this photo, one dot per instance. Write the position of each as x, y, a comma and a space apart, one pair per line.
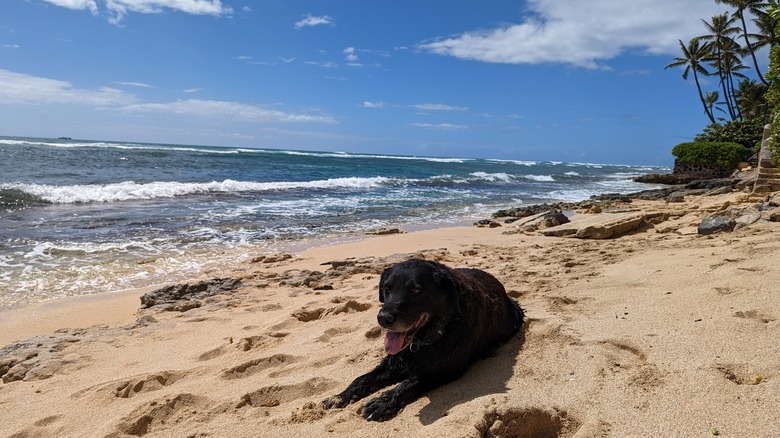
566, 80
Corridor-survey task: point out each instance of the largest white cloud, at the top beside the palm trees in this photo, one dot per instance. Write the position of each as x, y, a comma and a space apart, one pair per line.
583, 34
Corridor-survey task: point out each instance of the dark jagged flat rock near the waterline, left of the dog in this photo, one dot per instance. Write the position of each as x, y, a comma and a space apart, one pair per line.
183, 297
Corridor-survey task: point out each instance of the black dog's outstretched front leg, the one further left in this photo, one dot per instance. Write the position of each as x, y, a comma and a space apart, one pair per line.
390, 371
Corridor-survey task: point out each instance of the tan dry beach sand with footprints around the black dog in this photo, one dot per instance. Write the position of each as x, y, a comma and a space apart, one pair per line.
650, 334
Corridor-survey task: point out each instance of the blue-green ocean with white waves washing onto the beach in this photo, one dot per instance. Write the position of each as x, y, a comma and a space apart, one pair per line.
85, 217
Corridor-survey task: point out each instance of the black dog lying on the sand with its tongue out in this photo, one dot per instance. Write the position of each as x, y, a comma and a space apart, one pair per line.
438, 321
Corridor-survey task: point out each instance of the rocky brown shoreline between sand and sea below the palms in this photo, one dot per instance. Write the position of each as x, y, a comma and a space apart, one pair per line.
553, 219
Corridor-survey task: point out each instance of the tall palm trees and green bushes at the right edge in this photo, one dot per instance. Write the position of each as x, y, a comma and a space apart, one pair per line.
740, 106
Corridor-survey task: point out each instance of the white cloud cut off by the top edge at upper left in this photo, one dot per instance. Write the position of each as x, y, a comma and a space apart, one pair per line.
119, 8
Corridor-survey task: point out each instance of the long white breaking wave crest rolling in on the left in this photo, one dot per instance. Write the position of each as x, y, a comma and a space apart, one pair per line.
130, 190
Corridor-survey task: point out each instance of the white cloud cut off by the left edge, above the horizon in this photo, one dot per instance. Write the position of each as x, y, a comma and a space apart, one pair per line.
27, 89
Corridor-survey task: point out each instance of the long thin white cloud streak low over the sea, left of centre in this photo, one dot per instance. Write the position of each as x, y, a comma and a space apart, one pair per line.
231, 110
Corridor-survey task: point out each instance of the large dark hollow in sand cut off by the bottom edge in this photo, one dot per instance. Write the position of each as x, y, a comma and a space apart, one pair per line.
531, 422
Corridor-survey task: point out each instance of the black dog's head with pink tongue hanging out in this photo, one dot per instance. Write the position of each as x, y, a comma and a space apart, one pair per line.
418, 297
